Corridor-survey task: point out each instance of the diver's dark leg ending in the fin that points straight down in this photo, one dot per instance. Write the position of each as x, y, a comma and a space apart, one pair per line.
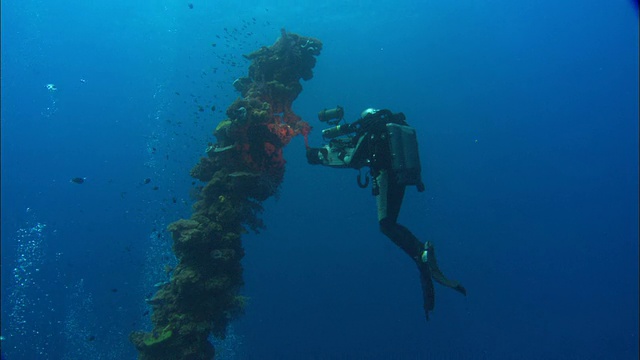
389, 202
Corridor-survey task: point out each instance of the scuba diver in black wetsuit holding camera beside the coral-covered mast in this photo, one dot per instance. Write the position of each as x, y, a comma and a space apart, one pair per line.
383, 141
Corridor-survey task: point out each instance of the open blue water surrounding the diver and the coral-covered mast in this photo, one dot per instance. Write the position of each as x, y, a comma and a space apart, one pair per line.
527, 118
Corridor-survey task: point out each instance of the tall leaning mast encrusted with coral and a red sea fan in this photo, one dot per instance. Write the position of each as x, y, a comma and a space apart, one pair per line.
243, 169
